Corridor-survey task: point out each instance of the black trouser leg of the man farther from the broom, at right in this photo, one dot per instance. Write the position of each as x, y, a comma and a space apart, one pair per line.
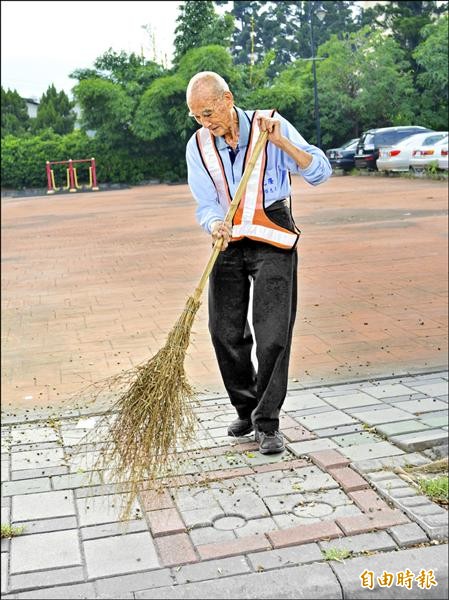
274, 310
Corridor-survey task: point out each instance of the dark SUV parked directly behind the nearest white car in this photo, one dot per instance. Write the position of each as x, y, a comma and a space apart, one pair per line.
367, 151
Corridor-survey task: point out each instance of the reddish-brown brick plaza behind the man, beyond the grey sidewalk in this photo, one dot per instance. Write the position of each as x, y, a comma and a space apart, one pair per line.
93, 282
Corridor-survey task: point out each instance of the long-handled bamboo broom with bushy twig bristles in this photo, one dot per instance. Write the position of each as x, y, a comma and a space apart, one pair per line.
154, 416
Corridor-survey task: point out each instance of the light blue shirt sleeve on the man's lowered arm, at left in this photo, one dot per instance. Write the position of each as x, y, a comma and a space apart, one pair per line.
203, 190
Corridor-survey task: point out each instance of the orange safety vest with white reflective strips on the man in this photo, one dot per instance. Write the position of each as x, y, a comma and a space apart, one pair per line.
250, 219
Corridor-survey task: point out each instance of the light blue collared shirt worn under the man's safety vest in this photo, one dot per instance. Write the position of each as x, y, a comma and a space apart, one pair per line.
276, 182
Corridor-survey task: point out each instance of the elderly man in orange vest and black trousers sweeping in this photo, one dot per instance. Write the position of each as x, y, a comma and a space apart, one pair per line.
259, 249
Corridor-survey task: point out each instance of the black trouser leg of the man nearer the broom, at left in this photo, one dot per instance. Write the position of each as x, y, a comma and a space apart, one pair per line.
229, 287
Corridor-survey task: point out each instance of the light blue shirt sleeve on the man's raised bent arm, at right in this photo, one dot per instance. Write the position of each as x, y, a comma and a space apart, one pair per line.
319, 169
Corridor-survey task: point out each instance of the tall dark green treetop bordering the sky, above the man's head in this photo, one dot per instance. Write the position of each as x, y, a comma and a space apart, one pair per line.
198, 25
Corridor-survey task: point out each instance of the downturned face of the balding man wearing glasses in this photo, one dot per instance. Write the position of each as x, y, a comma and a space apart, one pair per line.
212, 111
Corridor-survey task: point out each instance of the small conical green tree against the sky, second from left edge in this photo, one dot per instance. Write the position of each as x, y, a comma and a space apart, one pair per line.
55, 111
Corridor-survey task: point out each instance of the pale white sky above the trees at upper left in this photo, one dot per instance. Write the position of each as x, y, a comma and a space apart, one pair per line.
42, 42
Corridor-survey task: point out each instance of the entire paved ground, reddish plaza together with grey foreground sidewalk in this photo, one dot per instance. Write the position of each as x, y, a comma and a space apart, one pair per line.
93, 282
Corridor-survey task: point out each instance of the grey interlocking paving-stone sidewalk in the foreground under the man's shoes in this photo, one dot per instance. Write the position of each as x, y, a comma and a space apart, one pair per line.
234, 523
